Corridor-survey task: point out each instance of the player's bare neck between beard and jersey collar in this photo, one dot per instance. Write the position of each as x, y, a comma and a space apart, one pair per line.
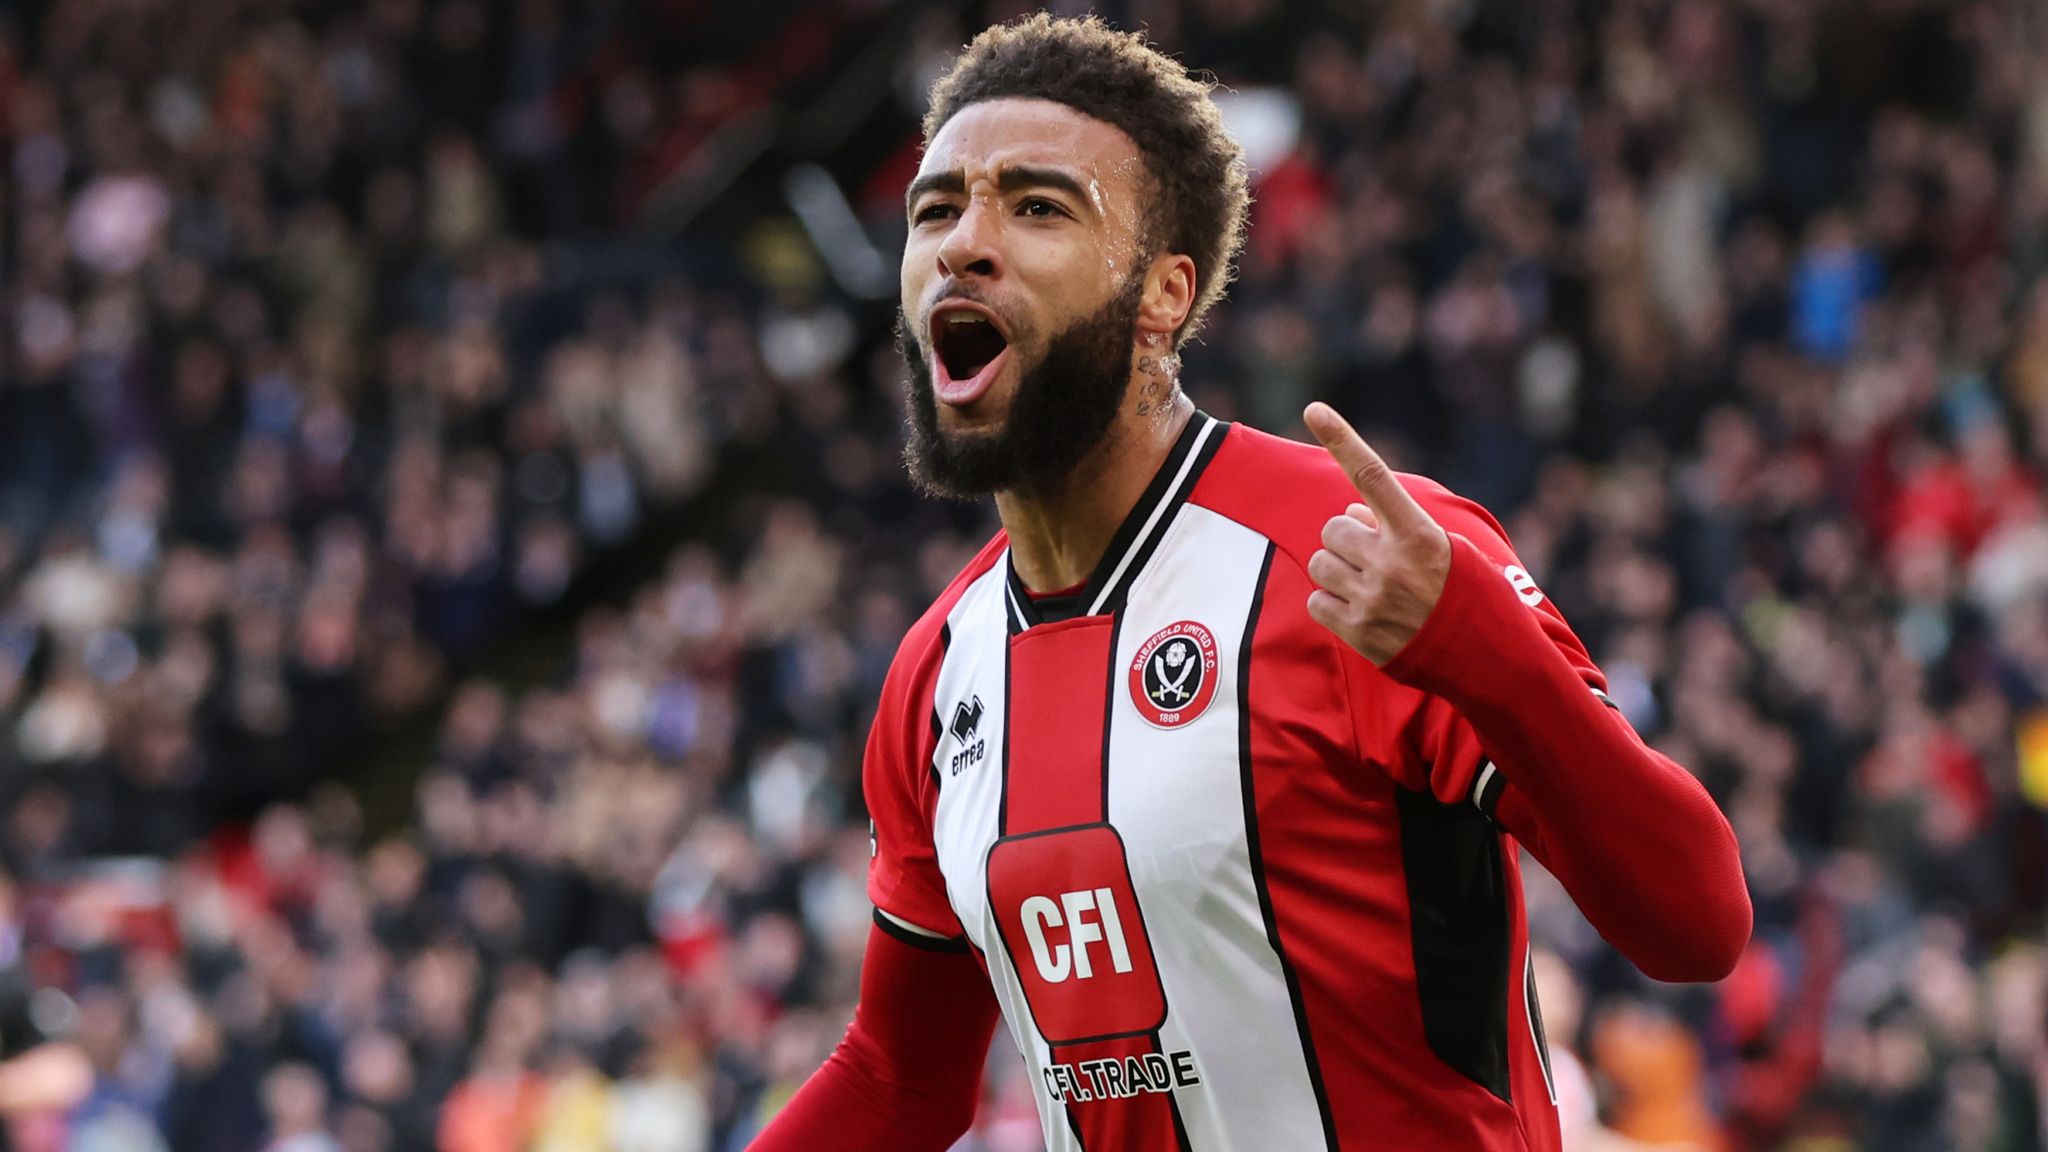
1058, 534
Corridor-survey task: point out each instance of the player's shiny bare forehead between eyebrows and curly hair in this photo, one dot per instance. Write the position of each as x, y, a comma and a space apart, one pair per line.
984, 138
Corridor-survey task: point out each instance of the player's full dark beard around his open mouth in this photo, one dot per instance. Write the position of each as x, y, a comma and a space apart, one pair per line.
1062, 409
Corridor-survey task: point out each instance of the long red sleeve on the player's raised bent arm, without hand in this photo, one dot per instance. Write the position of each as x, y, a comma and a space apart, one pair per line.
1631, 835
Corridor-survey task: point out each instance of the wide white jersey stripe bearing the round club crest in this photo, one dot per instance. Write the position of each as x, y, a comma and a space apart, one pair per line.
1177, 794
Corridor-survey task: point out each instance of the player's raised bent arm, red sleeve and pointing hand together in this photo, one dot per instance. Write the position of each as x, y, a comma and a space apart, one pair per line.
1631, 835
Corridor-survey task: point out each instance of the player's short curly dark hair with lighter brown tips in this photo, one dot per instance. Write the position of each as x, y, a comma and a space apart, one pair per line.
1123, 81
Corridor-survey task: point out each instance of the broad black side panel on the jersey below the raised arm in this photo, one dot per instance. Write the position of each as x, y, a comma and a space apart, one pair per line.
1457, 891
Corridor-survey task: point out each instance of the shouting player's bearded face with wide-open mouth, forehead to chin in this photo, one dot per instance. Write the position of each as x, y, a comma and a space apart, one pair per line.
1021, 294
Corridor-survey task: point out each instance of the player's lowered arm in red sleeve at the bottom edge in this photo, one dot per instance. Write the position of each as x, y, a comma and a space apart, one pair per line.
908, 1075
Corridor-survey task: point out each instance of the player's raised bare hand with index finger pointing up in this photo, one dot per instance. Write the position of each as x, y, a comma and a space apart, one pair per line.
1383, 563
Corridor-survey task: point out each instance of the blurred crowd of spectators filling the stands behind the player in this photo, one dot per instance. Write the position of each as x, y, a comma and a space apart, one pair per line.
1734, 313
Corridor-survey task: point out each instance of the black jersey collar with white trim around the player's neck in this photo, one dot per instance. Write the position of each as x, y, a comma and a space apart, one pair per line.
1136, 538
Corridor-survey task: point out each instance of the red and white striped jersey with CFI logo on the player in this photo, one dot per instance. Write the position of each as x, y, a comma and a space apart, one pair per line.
1236, 889
